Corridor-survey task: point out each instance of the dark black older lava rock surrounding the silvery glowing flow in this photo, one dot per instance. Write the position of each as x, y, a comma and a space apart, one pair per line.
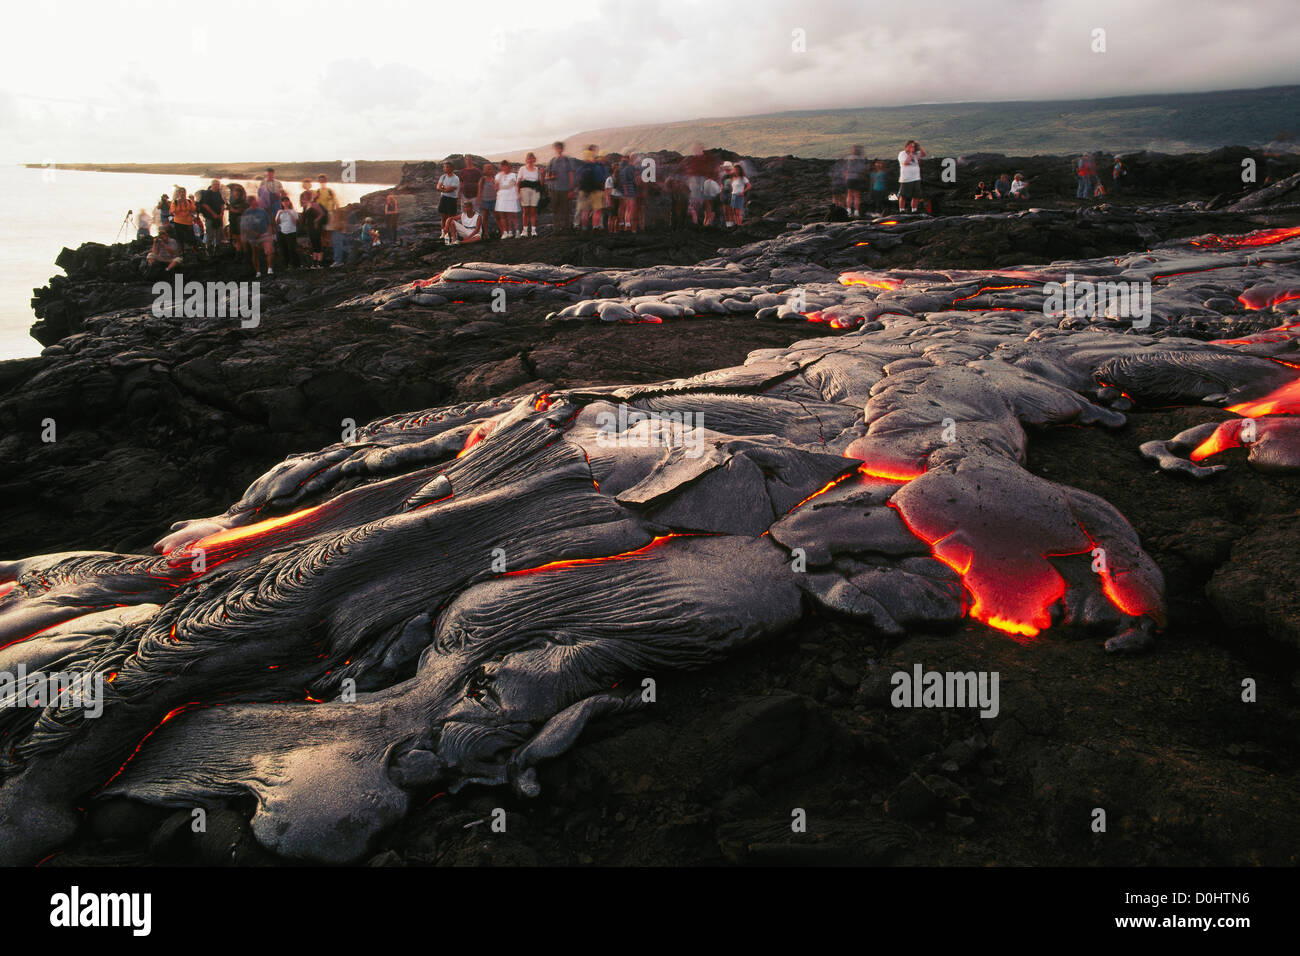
162, 418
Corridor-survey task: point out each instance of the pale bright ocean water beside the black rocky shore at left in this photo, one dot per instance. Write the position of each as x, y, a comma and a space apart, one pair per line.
42, 211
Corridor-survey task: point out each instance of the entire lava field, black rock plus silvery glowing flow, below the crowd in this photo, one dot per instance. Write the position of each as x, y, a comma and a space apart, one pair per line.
859, 457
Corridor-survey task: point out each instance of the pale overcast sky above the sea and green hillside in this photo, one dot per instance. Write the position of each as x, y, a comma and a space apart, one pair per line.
138, 81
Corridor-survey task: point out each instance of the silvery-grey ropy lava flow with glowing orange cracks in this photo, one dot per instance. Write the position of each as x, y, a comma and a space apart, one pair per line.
450, 598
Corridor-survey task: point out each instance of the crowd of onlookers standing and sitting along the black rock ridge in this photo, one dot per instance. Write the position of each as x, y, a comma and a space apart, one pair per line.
595, 193
